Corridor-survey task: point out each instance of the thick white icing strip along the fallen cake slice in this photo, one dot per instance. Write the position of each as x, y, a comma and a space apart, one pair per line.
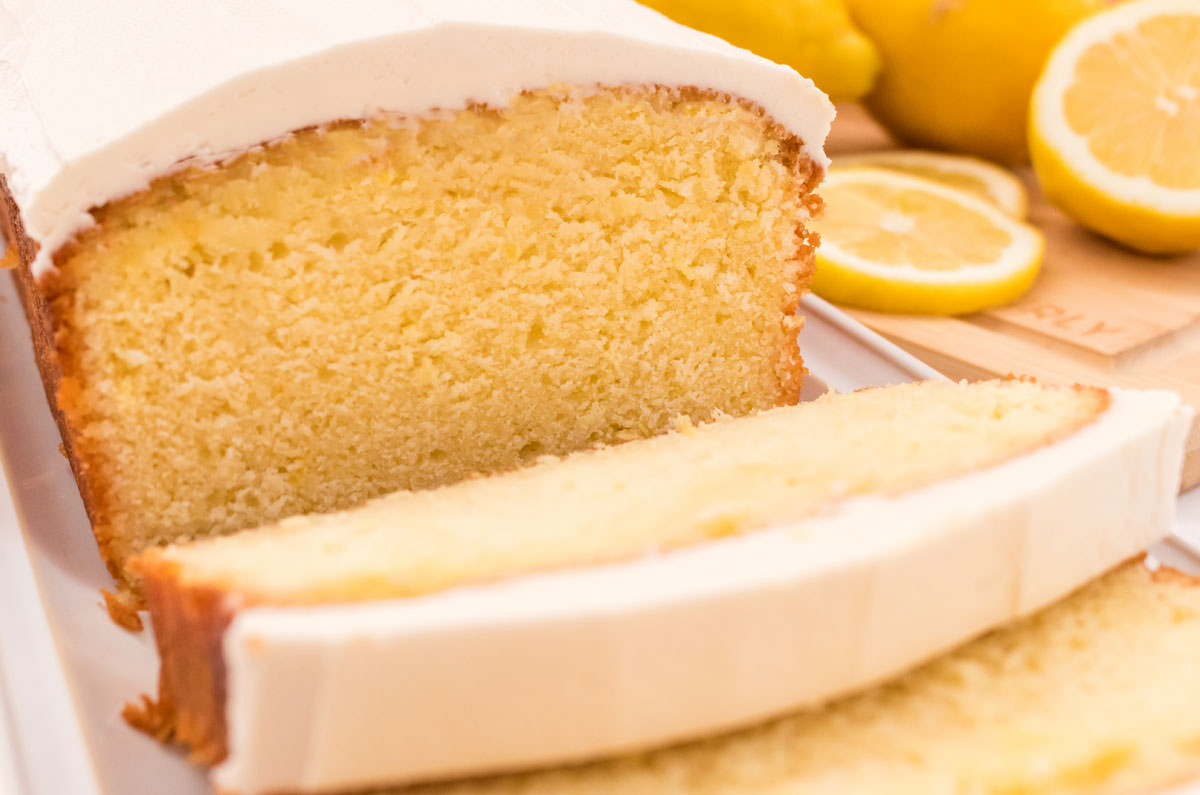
581, 664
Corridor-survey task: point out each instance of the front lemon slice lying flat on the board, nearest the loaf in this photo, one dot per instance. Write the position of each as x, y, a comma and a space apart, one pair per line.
896, 243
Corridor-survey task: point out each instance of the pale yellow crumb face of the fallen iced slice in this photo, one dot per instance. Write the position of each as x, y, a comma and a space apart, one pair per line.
698, 485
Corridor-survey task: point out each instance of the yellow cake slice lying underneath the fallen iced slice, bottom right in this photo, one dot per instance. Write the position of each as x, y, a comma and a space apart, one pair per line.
1095, 696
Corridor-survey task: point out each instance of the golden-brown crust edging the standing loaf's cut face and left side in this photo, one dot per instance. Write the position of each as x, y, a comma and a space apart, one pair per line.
56, 354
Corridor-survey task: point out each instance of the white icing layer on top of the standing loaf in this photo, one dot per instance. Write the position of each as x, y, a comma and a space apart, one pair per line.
97, 99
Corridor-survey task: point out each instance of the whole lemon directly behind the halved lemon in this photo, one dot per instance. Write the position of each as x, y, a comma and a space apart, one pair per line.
958, 74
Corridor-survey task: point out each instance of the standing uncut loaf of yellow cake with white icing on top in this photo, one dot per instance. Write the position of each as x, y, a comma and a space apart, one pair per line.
316, 256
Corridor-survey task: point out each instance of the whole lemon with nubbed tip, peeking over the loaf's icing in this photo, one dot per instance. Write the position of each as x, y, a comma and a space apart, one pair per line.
815, 38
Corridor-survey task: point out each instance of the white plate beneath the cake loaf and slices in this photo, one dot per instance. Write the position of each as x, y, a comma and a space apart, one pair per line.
67, 671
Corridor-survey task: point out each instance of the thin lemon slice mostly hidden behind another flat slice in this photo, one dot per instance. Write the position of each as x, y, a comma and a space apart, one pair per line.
971, 175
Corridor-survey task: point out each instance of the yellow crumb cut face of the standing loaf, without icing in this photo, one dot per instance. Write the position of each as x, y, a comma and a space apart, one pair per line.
400, 303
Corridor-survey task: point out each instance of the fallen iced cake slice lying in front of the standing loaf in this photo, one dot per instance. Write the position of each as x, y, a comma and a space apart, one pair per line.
650, 593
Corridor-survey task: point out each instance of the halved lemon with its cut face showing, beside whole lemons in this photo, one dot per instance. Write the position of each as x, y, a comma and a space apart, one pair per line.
1115, 124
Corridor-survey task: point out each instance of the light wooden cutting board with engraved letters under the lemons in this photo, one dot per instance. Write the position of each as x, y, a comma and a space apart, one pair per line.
1099, 314
